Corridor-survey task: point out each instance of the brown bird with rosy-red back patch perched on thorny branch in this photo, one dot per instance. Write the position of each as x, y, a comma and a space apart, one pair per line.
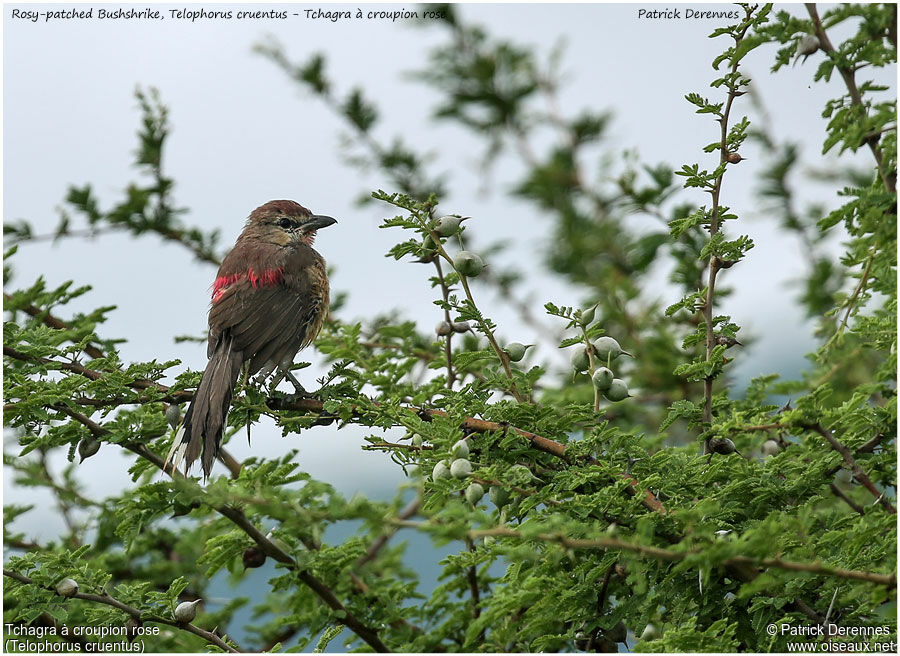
269, 300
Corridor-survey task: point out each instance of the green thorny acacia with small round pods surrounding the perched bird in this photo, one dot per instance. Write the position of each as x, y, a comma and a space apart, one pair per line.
684, 517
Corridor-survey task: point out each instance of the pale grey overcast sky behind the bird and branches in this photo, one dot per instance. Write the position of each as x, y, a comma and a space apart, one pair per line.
243, 134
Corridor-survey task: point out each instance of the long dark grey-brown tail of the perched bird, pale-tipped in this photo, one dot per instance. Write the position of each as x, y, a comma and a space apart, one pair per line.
204, 422
